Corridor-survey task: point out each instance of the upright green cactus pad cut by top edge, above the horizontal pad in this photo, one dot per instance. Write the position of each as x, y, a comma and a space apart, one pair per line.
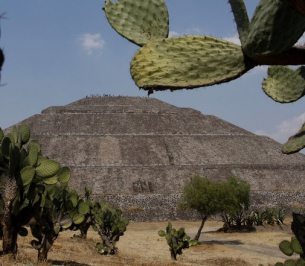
138, 21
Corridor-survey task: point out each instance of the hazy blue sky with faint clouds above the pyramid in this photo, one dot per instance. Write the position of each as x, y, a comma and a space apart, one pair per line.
59, 51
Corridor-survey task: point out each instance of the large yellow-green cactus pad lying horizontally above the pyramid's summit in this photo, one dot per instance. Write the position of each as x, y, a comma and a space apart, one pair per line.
187, 62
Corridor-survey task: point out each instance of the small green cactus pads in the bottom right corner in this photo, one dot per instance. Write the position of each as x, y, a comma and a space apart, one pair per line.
289, 248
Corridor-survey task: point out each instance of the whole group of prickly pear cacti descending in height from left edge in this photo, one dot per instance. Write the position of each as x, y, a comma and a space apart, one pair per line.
34, 192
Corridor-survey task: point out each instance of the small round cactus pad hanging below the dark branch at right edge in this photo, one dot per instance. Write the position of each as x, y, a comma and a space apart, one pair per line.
285, 84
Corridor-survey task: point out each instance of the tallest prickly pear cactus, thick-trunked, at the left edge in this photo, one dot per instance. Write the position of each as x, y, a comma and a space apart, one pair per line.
26, 184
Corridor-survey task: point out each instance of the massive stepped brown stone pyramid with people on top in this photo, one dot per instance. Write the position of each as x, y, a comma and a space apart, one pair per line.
138, 152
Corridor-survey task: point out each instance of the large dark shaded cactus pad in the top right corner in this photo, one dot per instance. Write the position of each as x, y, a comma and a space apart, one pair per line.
275, 27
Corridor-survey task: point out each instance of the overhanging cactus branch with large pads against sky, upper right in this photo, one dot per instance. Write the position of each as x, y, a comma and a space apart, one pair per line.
189, 62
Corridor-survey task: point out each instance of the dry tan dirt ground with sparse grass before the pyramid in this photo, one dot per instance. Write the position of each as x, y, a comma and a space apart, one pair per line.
141, 245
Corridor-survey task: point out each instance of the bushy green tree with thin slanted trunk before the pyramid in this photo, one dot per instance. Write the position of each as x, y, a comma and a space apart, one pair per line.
209, 198
